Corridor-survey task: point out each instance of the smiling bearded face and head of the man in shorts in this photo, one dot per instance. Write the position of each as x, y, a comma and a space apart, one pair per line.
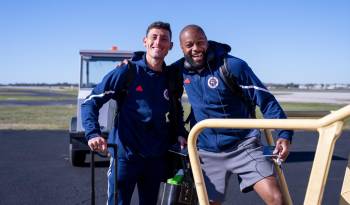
194, 45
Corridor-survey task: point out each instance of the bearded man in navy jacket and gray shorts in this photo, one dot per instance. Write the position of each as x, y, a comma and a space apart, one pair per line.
226, 151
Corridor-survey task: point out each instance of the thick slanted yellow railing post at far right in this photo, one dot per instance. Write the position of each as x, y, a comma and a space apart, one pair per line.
320, 167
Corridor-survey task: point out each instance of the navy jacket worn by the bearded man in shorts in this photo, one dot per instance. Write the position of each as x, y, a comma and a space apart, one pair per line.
211, 98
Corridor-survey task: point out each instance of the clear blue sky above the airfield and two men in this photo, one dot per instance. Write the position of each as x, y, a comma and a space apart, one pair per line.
283, 41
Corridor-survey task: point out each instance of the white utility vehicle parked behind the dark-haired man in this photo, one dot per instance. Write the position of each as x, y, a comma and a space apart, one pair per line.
94, 65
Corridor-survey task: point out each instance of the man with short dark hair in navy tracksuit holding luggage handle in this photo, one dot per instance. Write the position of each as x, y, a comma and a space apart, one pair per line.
141, 130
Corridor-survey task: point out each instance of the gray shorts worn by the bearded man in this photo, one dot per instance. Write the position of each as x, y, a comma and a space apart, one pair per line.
246, 160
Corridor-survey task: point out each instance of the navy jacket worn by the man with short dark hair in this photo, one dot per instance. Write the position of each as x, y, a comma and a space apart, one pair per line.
141, 127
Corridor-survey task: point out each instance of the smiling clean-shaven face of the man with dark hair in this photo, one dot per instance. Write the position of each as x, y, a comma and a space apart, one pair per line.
157, 43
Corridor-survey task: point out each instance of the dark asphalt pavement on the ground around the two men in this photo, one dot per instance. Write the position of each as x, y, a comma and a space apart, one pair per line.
34, 169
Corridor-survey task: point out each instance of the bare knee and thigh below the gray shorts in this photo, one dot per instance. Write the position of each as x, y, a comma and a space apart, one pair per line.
269, 191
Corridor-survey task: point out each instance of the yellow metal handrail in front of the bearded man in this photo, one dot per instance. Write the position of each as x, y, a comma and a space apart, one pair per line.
329, 128
